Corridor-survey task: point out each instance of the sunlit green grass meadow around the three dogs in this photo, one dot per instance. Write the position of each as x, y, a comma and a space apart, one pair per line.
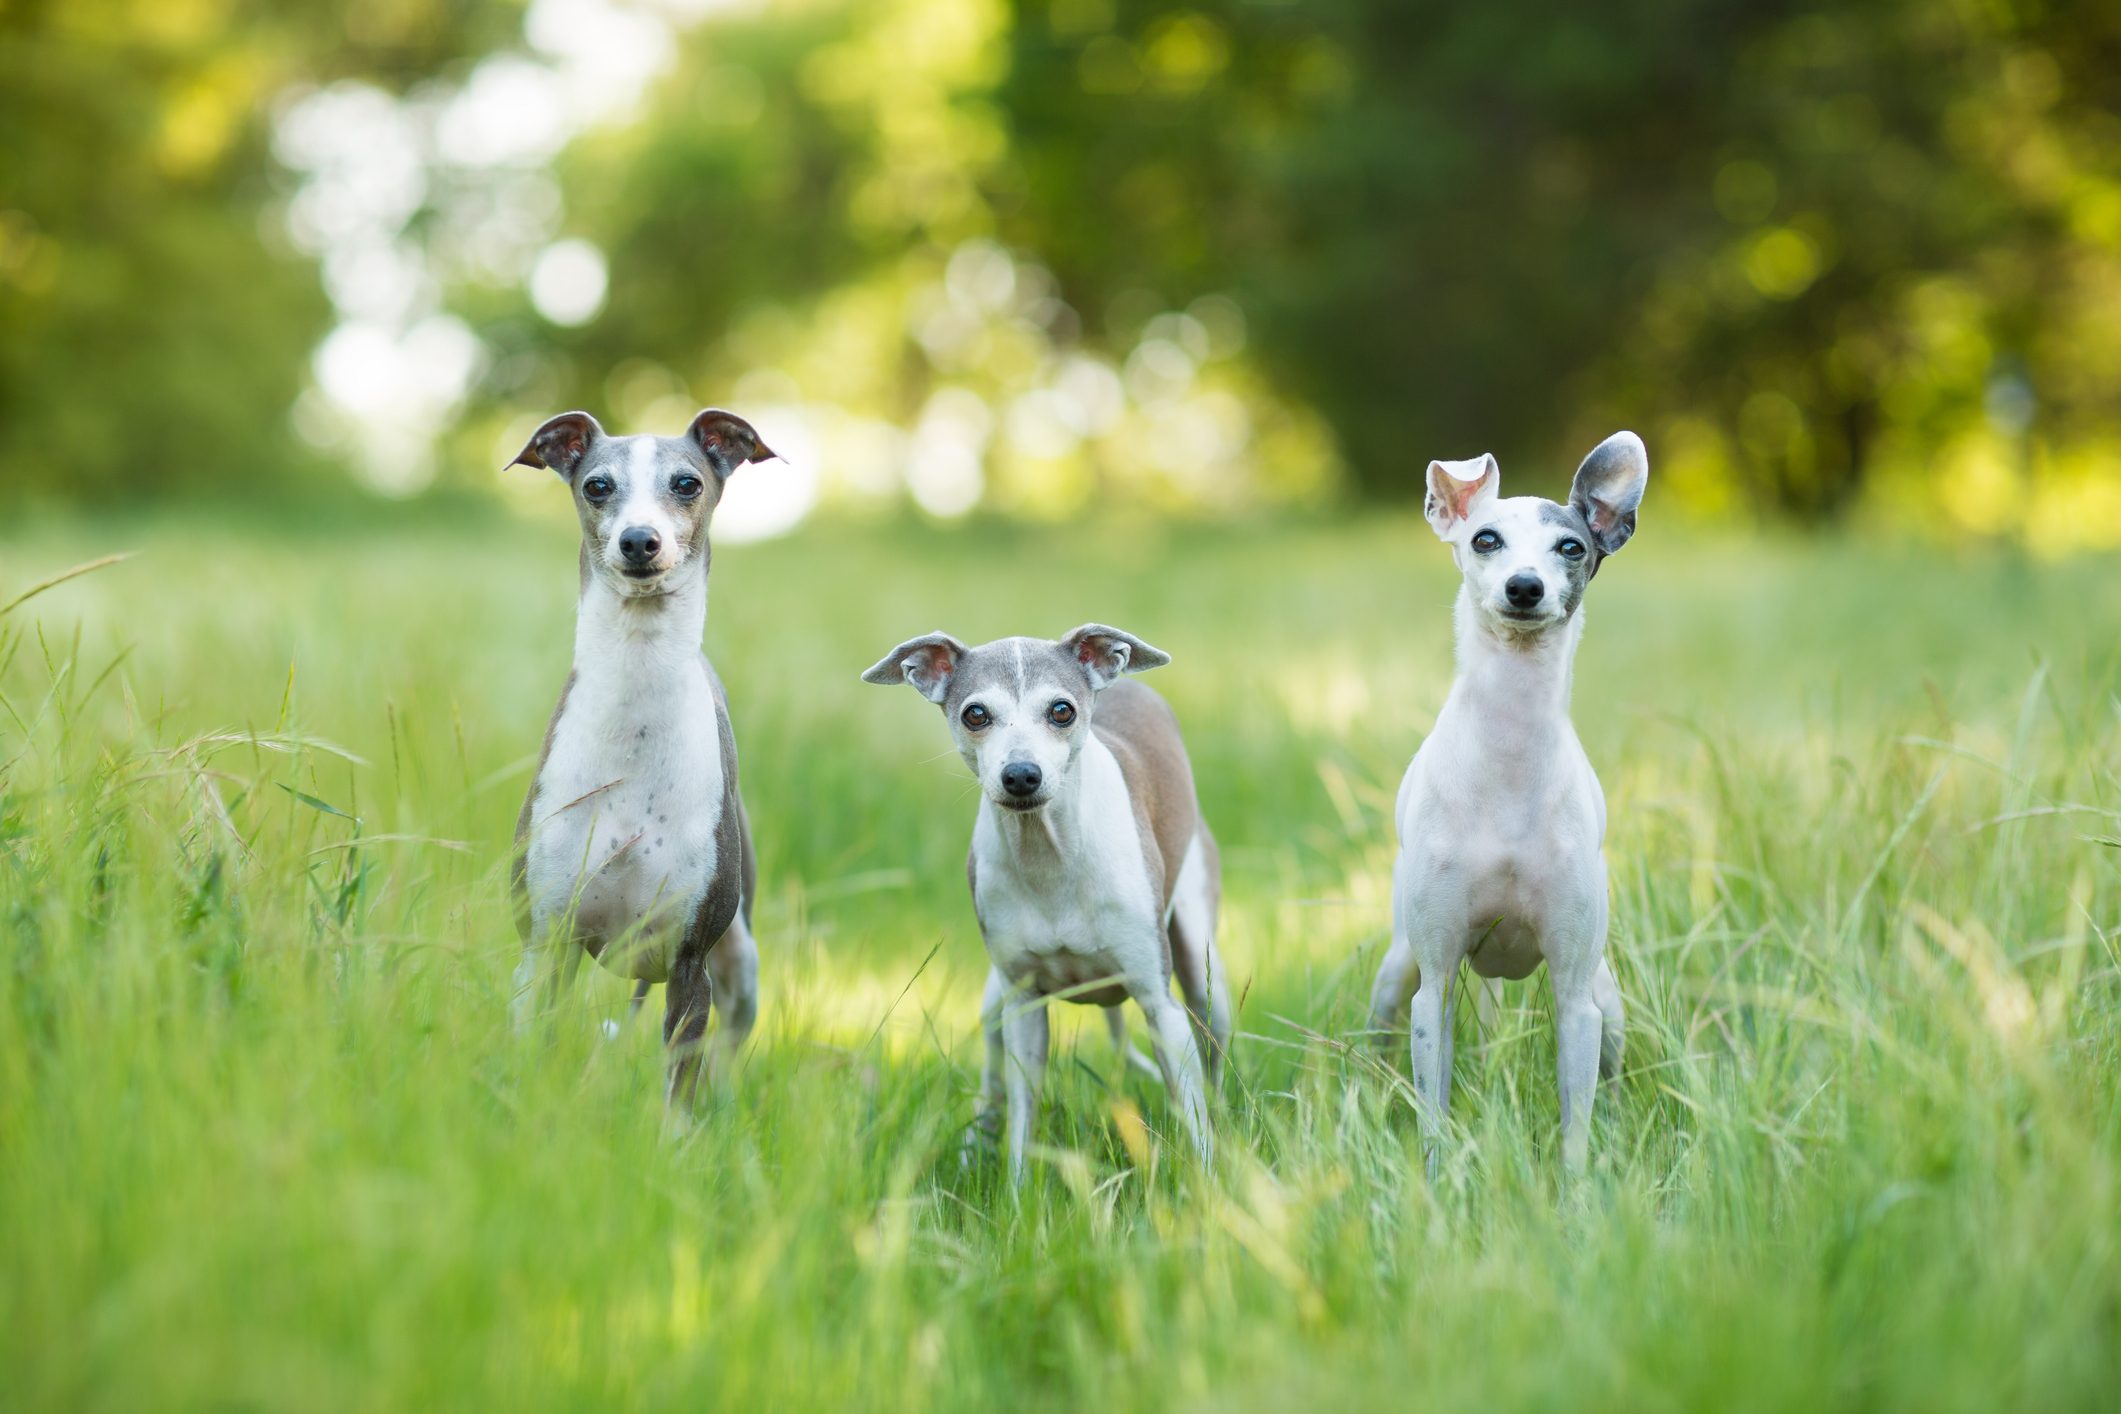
270, 1144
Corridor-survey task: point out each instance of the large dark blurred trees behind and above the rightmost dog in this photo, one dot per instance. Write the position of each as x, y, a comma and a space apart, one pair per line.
1804, 243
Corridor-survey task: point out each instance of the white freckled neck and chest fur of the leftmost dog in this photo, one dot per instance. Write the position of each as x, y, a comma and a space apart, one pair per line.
631, 794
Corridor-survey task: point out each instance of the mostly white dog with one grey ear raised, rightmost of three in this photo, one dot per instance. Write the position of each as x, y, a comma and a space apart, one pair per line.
1503, 821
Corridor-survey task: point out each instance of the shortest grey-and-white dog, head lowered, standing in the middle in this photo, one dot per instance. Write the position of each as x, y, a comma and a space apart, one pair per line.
1093, 874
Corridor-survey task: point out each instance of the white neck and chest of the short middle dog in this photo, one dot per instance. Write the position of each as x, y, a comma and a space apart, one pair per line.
1072, 908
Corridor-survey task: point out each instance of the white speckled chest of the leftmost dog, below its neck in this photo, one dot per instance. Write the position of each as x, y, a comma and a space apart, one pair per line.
627, 811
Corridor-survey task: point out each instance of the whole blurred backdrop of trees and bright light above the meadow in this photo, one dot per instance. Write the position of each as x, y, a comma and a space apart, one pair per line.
968, 258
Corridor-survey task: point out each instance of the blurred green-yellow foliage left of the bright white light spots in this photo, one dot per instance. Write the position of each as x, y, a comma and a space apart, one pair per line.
152, 330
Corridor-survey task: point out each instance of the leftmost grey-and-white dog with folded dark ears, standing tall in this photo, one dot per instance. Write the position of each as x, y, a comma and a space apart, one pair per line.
633, 843
